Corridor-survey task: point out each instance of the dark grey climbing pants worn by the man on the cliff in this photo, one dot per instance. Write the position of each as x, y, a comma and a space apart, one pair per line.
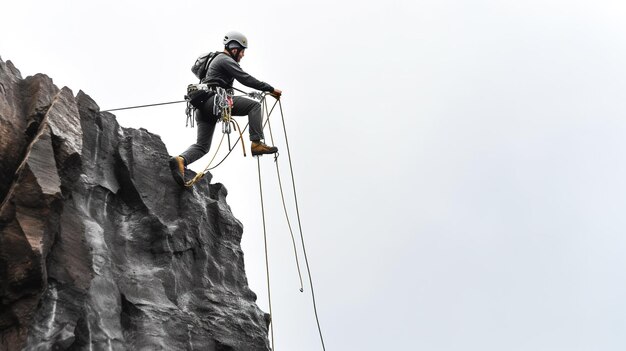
206, 120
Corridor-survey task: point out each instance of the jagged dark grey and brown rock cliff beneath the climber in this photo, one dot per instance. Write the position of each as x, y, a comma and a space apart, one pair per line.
99, 248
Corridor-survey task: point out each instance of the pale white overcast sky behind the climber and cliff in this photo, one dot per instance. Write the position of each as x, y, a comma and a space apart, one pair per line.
460, 164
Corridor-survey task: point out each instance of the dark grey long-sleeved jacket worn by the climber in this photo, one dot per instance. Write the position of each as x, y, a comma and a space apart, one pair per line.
225, 69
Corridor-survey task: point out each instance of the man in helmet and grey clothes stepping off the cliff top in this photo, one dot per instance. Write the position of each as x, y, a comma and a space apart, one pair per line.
224, 69
